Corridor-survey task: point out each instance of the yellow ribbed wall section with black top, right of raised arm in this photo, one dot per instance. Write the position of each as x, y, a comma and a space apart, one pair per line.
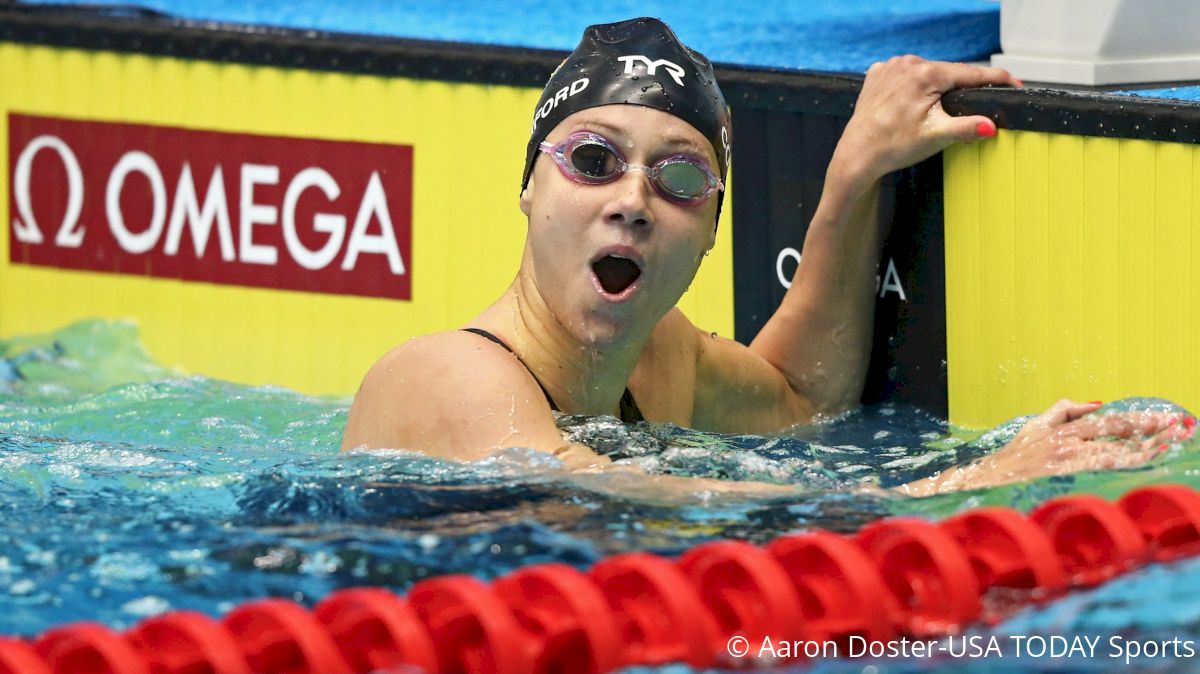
1071, 254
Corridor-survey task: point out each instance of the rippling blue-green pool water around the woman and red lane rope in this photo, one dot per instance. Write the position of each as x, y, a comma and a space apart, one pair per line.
128, 490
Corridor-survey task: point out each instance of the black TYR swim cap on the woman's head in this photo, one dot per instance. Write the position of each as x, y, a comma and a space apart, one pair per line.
641, 63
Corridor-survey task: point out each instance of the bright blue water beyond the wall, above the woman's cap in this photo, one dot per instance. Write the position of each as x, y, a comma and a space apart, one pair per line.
830, 35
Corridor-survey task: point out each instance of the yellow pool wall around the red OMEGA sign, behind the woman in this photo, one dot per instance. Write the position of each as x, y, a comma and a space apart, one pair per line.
467, 145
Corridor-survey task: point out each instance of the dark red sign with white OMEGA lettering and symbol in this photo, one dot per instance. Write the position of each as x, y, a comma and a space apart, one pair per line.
266, 212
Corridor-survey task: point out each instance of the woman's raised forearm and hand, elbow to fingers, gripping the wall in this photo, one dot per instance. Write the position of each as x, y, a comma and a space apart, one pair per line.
820, 338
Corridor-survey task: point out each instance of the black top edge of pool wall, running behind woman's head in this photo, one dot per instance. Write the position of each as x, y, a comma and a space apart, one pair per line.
136, 31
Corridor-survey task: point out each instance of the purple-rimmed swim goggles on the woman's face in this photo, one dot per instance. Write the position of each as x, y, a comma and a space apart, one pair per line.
591, 159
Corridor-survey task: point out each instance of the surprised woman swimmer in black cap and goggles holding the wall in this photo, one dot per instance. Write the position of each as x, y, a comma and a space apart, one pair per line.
622, 188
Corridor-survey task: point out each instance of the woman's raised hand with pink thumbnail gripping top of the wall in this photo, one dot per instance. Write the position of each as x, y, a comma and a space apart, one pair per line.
899, 119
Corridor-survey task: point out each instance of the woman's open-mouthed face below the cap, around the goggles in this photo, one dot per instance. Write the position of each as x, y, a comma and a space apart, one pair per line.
611, 260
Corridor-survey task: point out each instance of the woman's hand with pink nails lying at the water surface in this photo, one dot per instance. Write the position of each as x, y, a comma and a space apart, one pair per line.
1067, 438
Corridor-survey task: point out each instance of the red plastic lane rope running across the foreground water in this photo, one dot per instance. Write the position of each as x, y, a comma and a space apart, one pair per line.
897, 576
